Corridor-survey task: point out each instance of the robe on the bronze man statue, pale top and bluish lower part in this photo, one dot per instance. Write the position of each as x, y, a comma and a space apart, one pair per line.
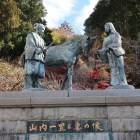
34, 63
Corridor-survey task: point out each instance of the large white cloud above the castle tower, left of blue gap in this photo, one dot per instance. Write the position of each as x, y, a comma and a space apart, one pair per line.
57, 11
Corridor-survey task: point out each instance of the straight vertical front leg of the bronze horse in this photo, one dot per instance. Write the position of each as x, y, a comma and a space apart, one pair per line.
69, 74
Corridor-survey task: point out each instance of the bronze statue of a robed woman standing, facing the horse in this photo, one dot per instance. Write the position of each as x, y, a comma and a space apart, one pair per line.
112, 53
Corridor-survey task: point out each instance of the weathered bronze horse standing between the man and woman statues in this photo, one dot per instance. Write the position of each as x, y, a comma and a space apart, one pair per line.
67, 54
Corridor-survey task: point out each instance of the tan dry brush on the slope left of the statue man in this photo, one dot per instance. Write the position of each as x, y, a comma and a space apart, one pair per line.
11, 77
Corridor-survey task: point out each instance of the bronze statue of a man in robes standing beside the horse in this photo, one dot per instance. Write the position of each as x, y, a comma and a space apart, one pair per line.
34, 58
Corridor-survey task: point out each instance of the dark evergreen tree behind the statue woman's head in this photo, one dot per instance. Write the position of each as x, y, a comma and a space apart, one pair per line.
124, 14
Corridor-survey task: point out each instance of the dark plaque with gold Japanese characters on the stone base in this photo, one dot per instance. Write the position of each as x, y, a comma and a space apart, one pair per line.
69, 126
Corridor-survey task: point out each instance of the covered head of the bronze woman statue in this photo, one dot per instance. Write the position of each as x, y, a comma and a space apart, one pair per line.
109, 28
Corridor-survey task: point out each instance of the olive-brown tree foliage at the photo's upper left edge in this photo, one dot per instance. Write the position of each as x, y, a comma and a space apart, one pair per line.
9, 20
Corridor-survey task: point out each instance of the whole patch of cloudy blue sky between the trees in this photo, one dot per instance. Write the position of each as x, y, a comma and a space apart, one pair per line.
74, 12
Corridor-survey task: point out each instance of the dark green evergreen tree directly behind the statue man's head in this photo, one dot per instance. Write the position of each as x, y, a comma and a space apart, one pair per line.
31, 11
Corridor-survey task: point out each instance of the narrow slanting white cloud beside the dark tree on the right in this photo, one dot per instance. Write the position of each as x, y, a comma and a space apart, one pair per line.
84, 14
